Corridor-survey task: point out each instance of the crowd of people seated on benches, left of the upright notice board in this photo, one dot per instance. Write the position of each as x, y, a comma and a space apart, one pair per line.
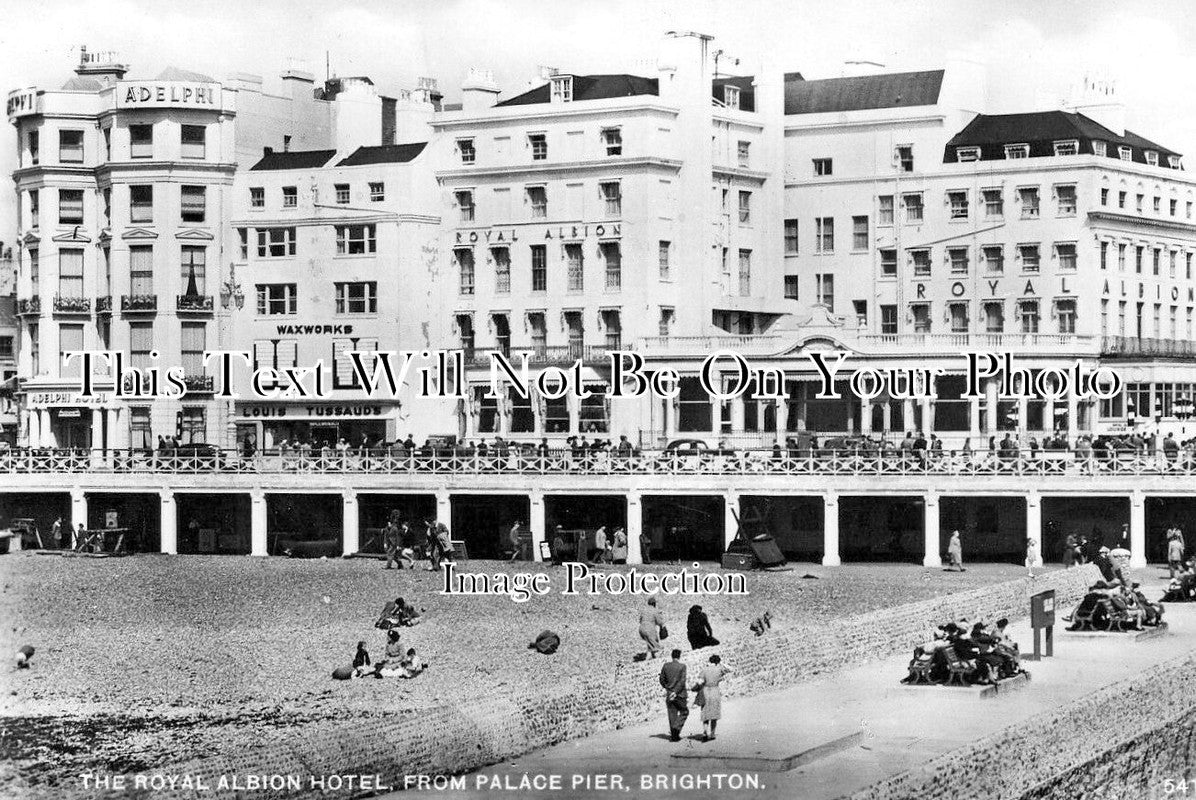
980, 654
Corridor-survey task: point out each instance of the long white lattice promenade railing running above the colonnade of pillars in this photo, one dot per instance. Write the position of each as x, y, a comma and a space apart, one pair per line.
526, 461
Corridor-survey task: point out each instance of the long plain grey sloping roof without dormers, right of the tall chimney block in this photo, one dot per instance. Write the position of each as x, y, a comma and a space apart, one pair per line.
890, 91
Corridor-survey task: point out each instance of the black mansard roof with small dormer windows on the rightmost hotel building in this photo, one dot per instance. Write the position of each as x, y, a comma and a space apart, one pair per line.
1041, 131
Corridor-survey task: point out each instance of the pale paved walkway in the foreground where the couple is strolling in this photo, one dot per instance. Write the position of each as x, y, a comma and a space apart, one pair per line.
840, 734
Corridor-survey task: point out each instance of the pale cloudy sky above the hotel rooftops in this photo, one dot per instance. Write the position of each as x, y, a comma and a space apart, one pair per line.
1034, 52
